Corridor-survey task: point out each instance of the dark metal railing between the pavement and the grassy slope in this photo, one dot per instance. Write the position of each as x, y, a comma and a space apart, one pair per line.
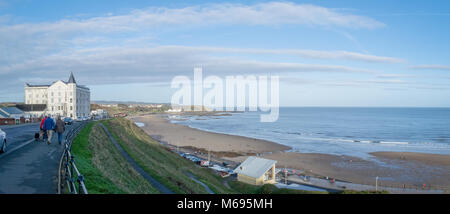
68, 171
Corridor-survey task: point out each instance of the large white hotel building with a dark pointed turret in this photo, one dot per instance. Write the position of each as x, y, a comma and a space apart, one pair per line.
66, 99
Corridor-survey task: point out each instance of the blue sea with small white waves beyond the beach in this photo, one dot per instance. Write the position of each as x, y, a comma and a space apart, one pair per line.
340, 130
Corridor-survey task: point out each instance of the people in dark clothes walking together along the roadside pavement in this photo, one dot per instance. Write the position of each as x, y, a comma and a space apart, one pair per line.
48, 126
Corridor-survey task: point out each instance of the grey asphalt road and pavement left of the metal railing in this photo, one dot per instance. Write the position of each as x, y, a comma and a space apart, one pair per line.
29, 167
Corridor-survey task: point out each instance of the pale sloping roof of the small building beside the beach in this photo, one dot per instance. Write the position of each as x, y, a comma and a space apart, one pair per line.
255, 167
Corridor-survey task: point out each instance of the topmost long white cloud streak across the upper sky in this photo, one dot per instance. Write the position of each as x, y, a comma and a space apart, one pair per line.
271, 13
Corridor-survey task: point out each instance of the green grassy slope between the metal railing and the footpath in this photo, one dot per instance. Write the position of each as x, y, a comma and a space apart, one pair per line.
105, 170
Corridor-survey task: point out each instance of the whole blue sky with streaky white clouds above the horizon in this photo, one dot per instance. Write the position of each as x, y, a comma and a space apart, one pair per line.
326, 53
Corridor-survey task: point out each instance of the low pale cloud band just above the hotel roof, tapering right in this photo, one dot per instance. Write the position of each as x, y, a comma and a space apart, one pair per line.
101, 64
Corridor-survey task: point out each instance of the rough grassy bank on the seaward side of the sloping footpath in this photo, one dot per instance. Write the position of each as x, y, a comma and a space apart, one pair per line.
165, 166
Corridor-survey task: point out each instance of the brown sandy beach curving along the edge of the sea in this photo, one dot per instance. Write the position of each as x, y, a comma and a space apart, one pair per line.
392, 168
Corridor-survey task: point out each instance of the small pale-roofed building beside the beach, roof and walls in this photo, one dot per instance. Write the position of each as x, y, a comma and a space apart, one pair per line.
256, 171
